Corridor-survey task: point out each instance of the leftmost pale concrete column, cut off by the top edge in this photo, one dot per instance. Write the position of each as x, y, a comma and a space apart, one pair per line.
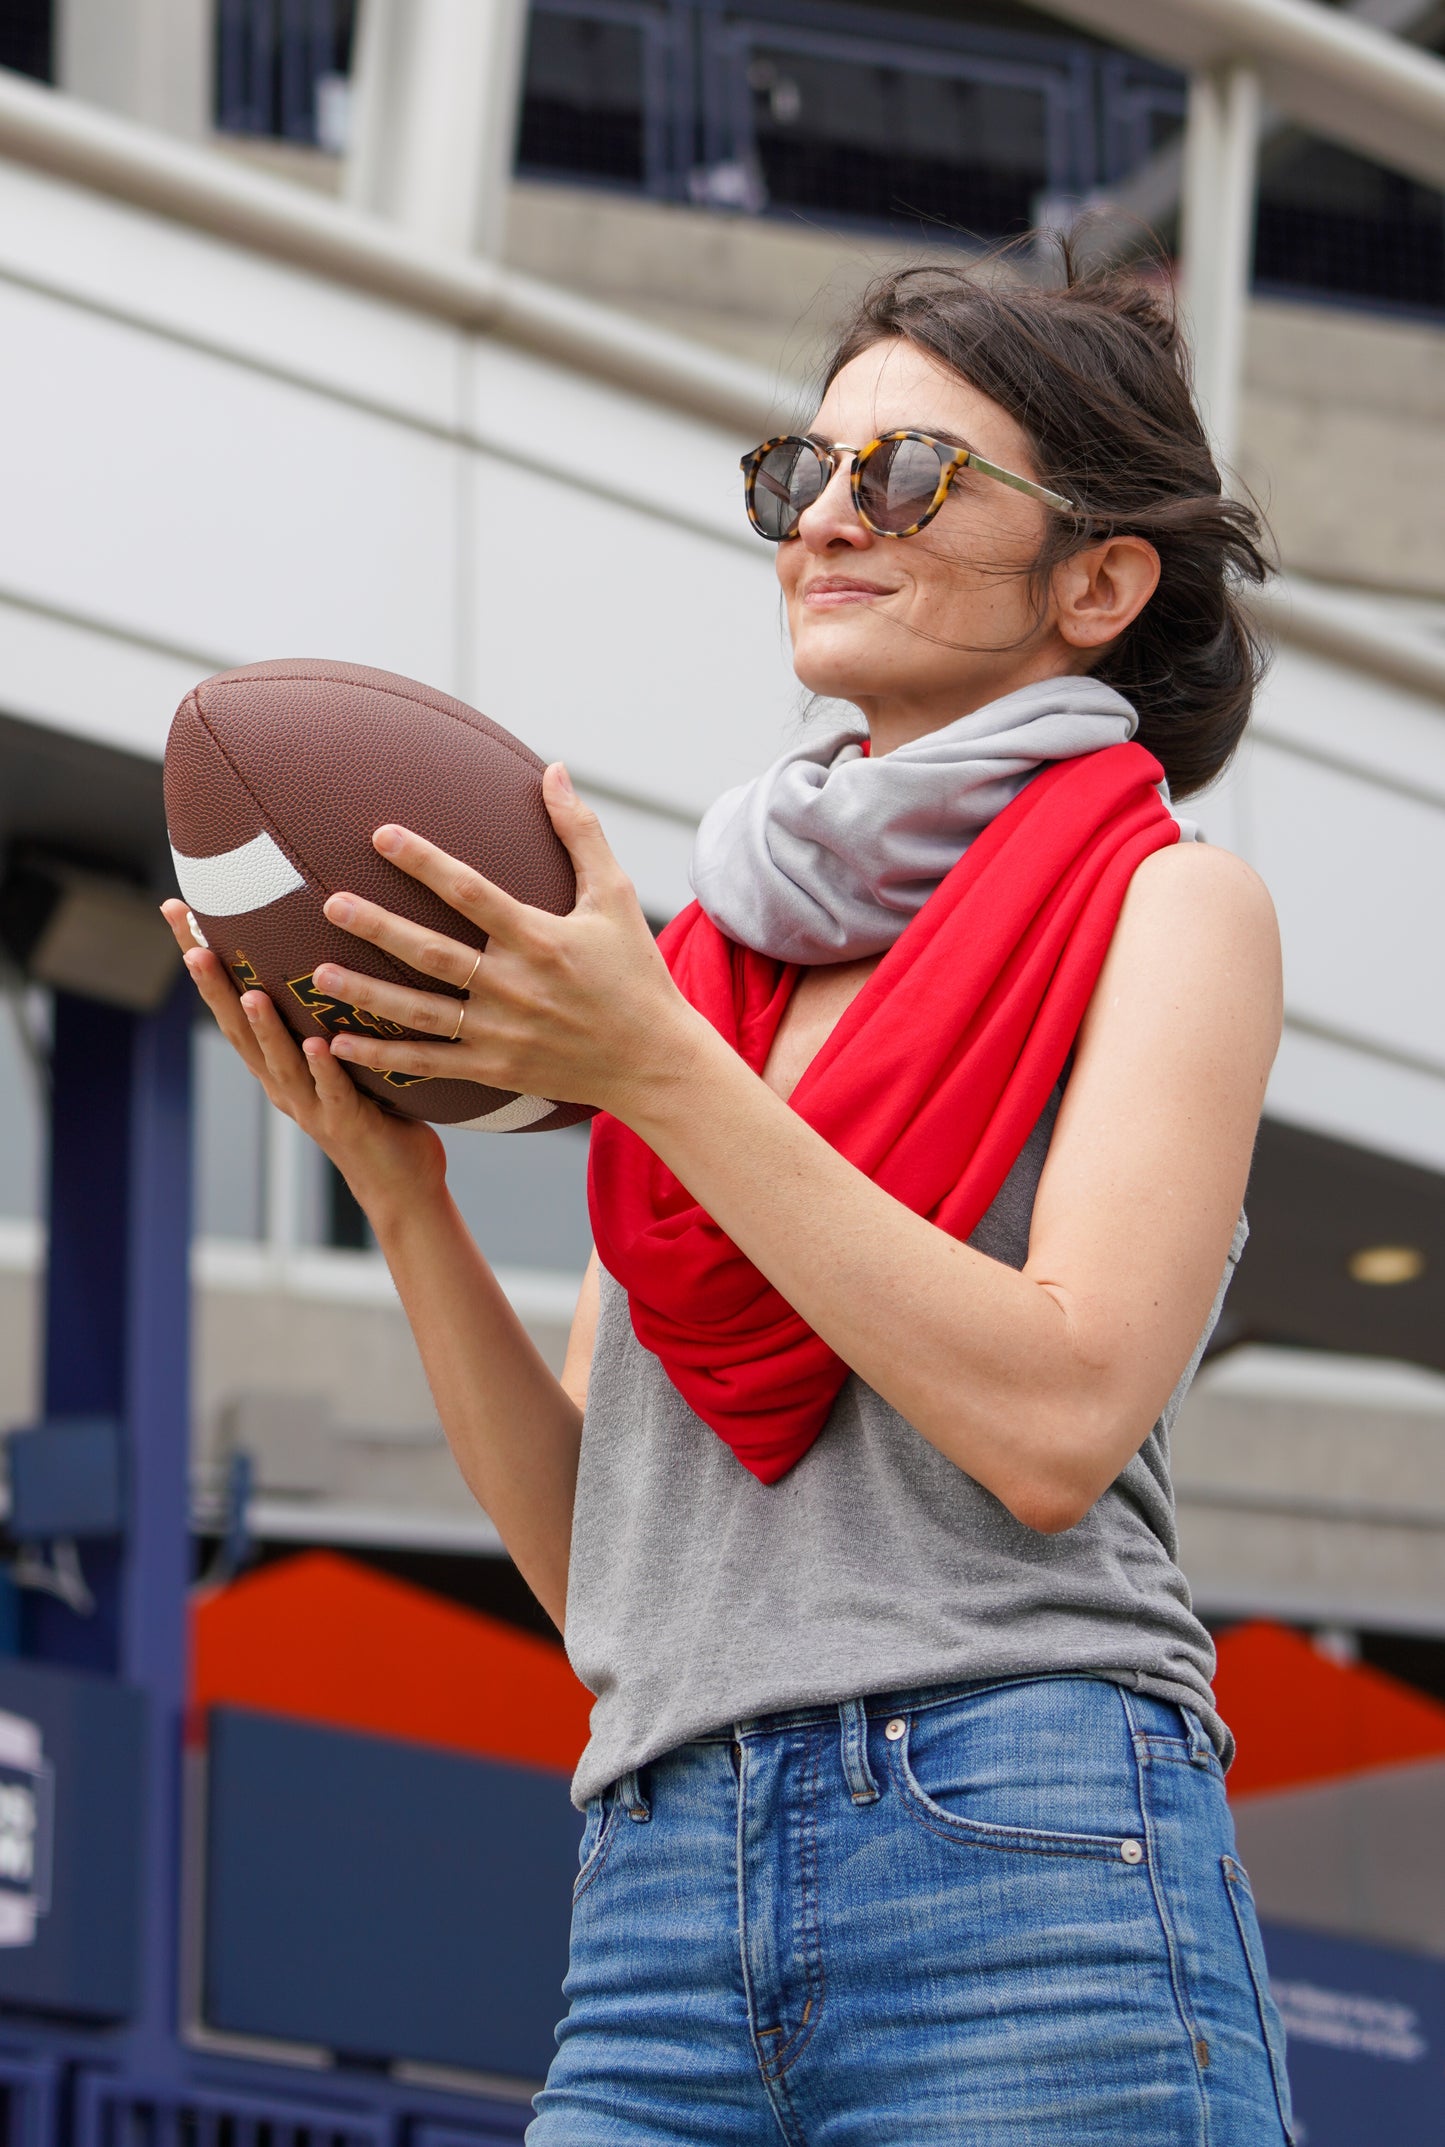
147, 59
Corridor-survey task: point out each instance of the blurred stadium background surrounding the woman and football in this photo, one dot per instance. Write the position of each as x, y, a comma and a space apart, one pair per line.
334, 327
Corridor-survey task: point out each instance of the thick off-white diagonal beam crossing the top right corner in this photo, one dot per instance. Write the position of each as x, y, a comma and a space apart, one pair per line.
1324, 68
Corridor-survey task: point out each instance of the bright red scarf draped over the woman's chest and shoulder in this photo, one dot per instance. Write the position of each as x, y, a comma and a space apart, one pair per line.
931, 1083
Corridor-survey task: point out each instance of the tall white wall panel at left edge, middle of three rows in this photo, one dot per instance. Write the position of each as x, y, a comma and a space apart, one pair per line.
205, 503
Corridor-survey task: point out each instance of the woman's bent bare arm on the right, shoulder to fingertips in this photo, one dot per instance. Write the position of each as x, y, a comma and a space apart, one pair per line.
1038, 1384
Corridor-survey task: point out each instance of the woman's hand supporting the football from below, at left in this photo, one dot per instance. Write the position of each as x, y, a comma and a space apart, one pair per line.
388, 1163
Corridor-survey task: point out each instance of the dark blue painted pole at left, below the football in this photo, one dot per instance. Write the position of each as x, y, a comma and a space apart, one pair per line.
117, 1343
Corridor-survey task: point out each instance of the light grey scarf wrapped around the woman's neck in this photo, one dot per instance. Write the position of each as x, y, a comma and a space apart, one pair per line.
828, 856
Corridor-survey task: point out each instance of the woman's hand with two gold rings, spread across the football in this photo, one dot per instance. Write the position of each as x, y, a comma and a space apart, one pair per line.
576, 1008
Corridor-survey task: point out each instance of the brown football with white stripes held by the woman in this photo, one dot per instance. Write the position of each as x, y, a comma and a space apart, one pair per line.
276, 780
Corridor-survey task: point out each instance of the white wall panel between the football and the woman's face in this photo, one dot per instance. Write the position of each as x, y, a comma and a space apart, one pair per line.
639, 652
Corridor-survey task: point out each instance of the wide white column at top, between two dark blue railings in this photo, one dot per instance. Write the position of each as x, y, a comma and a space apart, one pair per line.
437, 87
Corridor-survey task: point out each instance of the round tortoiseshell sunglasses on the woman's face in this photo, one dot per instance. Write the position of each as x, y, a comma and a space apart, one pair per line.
899, 482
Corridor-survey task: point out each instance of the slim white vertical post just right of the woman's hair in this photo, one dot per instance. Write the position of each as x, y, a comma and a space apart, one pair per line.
1221, 166
